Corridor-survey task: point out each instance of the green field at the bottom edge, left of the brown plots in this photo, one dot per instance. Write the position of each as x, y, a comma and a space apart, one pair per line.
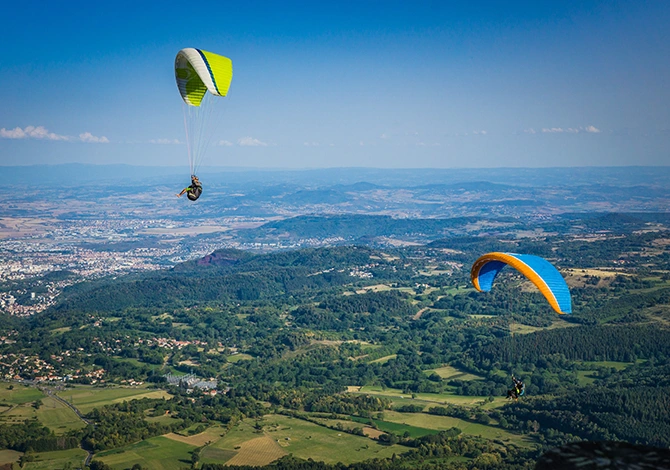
156, 453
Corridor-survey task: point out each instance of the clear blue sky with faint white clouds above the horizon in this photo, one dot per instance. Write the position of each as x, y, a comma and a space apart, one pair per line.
329, 84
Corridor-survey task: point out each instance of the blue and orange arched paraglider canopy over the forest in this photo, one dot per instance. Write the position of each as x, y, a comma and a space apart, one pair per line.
537, 270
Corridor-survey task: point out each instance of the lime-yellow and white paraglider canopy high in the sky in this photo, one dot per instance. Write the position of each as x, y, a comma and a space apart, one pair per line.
198, 72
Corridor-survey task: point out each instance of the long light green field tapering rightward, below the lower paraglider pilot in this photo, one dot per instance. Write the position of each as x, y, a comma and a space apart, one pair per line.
441, 423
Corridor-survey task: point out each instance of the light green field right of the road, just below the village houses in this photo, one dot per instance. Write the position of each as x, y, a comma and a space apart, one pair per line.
86, 397
